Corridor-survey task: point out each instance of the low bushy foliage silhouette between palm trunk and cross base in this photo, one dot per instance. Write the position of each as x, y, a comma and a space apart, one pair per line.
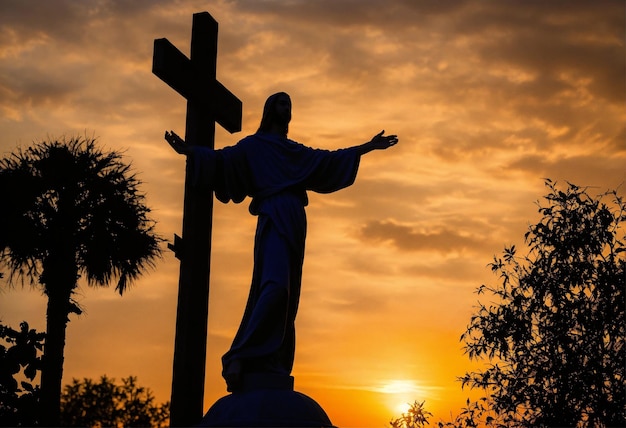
106, 404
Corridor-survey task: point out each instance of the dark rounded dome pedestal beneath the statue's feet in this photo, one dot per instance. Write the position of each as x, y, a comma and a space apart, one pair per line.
266, 400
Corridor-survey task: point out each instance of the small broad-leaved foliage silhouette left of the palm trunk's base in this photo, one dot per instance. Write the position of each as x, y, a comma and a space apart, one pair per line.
19, 358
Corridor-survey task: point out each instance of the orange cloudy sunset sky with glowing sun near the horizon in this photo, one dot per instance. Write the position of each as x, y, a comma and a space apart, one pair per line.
487, 97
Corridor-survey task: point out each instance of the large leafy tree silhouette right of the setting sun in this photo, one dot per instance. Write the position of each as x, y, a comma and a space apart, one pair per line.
554, 333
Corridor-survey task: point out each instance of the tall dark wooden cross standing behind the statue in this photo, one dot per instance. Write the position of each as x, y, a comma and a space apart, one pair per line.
208, 101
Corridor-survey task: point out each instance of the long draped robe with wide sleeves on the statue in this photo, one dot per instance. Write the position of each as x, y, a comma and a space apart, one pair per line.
276, 173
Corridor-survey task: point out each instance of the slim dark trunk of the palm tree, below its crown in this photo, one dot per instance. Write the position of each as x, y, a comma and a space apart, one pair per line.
59, 285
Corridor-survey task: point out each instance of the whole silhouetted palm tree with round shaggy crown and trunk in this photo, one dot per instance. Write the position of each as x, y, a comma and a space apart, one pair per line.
70, 211
